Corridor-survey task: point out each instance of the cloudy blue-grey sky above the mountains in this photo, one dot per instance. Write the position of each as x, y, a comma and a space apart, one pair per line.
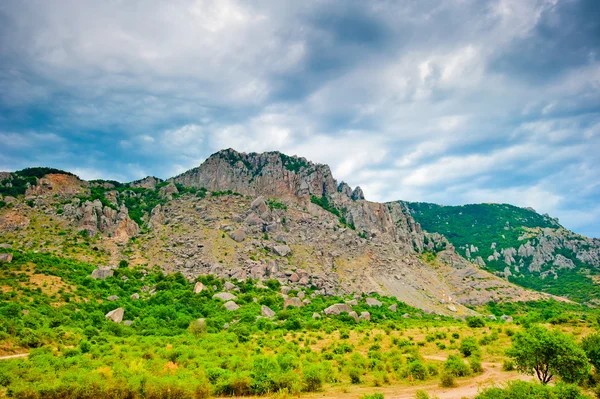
450, 101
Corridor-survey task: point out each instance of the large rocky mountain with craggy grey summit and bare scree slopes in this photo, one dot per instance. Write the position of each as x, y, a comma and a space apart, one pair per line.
262, 216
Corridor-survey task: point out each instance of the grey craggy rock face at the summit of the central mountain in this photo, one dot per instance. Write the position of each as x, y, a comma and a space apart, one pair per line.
271, 174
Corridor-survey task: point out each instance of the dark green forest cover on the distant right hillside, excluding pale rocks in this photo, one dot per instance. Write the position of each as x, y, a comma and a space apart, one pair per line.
482, 225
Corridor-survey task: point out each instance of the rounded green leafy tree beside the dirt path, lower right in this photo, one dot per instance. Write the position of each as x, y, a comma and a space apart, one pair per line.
548, 353
